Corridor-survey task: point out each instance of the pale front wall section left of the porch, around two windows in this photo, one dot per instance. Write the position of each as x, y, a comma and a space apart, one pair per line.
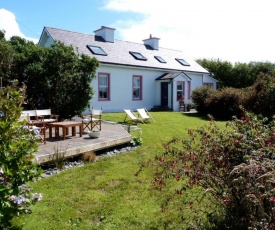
121, 89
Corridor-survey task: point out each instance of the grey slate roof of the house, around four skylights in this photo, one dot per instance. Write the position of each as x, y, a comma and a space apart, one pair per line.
118, 52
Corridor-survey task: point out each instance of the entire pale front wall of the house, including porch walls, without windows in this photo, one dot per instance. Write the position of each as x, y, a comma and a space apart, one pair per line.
121, 89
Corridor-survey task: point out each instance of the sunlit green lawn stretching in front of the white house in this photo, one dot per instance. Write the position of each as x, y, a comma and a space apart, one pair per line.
107, 194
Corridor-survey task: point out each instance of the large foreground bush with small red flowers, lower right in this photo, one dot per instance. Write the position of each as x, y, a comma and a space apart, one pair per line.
235, 166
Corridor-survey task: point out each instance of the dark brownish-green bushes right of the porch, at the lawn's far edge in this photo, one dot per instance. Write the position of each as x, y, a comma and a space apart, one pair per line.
227, 102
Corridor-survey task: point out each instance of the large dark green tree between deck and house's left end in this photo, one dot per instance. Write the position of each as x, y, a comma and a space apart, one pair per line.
56, 77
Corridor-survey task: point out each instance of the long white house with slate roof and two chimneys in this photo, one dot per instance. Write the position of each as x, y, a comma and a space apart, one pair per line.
134, 75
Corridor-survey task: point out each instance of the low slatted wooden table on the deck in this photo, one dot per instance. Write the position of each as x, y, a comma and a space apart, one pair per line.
65, 125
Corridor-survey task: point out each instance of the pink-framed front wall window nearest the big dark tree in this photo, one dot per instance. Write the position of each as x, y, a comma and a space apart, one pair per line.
103, 86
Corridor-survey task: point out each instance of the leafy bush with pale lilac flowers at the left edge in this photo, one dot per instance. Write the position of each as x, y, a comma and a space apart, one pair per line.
16, 157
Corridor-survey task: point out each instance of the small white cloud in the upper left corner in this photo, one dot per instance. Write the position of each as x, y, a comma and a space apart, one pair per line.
9, 24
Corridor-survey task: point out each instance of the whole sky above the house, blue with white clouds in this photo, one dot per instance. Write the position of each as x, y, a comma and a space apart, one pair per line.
231, 30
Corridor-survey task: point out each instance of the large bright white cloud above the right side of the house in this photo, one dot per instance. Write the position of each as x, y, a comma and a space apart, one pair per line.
232, 30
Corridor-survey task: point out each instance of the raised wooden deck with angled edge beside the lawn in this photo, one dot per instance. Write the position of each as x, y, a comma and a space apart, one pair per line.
111, 135
